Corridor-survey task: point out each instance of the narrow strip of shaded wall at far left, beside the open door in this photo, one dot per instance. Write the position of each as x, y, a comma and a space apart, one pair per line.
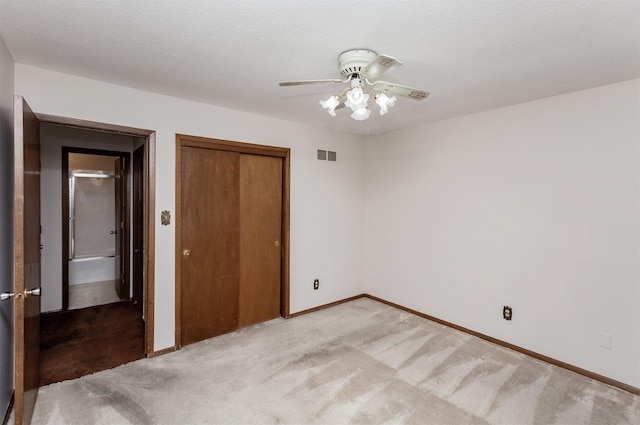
6, 224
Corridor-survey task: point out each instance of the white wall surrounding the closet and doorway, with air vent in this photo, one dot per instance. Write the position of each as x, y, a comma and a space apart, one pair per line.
327, 200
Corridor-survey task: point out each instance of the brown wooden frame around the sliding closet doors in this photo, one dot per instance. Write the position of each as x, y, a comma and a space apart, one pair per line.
245, 148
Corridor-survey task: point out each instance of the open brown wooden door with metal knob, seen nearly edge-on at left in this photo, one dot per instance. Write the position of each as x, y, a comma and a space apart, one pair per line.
27, 259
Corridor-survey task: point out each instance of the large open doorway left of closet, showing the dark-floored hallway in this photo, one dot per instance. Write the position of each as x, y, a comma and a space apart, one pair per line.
98, 295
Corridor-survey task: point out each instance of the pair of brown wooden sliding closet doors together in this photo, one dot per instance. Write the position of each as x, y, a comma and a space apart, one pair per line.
230, 240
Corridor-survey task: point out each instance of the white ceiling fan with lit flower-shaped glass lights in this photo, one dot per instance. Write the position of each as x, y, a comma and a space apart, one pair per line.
359, 67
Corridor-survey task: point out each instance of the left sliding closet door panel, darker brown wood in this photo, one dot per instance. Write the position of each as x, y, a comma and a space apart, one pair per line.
210, 266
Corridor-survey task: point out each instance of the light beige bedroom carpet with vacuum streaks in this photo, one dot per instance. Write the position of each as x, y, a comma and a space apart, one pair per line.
356, 363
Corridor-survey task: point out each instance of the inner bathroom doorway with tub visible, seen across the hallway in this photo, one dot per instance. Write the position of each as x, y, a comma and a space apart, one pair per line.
95, 221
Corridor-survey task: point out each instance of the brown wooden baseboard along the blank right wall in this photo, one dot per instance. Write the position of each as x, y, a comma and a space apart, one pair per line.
542, 357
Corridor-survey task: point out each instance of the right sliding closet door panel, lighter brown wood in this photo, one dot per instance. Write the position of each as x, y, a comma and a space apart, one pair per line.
260, 238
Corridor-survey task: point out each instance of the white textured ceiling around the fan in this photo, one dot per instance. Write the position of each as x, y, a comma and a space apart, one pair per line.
471, 55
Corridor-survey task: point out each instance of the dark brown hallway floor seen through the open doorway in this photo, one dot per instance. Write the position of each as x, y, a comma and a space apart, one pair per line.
80, 342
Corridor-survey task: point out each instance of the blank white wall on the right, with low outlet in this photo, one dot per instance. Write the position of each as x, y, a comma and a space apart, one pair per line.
535, 206
